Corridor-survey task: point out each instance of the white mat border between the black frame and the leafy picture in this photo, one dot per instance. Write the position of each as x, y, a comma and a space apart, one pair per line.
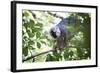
21, 65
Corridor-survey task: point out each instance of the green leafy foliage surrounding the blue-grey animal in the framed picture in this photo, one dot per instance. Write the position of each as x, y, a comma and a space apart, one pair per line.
35, 39
